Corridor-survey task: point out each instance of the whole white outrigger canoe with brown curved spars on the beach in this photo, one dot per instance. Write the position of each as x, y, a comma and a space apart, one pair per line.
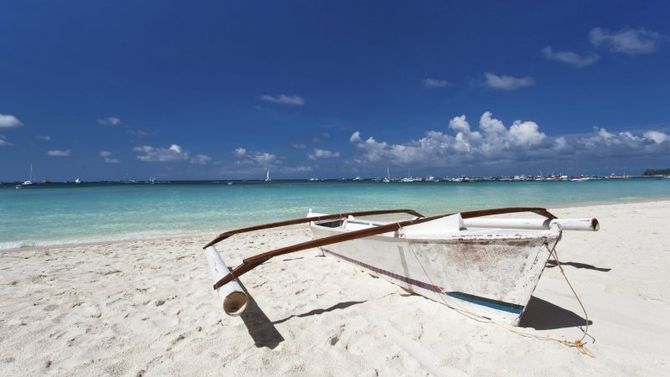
486, 266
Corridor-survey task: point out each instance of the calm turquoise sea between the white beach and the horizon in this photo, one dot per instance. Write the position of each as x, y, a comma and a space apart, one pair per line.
55, 214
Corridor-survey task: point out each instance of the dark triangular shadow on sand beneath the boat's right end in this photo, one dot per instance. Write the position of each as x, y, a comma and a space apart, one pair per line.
543, 315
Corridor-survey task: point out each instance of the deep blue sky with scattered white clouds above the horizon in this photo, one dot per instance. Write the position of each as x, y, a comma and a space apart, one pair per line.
229, 89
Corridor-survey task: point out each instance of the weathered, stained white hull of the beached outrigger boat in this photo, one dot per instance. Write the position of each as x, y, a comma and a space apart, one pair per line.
494, 277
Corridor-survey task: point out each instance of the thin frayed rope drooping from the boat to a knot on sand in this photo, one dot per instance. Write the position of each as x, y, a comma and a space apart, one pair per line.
578, 344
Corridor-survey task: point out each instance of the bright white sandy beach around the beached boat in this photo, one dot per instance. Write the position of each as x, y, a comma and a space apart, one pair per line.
147, 308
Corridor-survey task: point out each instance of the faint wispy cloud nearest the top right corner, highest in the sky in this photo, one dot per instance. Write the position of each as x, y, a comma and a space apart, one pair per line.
626, 41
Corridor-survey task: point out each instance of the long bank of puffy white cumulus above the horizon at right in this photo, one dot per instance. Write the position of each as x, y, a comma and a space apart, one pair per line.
494, 143
